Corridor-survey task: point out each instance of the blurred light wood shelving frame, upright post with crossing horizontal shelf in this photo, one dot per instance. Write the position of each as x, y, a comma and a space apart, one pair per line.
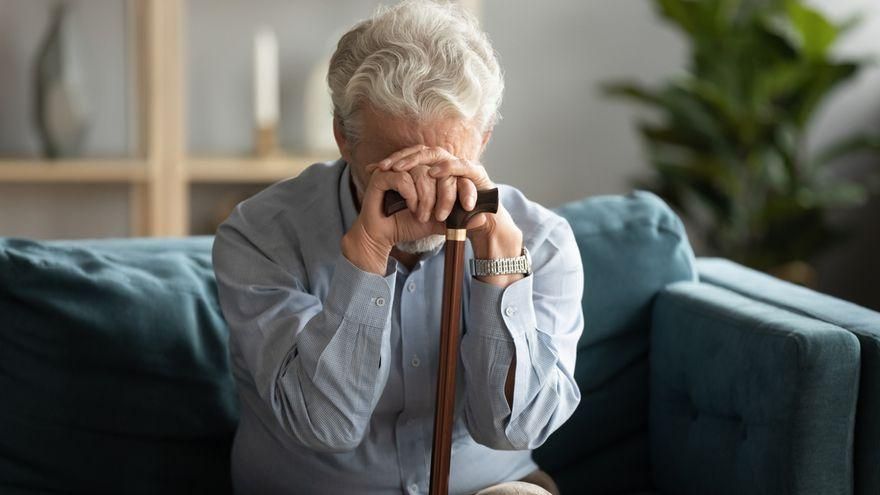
160, 183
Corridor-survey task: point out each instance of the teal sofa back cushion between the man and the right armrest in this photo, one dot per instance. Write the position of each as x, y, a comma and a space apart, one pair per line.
631, 247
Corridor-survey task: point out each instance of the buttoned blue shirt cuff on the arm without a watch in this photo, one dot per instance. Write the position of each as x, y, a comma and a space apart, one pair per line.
361, 296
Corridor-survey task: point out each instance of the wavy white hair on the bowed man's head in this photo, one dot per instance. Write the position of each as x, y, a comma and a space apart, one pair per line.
419, 59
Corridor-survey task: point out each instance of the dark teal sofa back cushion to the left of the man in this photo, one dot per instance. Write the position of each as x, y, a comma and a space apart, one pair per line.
113, 368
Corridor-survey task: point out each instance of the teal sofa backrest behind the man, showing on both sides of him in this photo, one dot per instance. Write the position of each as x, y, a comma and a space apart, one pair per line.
114, 372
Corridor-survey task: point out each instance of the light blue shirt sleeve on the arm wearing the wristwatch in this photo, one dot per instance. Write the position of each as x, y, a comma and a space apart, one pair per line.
538, 320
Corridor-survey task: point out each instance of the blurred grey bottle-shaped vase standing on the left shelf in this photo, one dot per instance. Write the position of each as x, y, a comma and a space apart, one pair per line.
60, 105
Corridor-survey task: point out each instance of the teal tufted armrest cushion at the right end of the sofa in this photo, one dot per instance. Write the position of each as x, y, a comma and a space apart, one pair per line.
747, 397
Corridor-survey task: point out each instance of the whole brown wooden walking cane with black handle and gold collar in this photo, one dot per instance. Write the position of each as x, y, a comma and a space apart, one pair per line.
453, 268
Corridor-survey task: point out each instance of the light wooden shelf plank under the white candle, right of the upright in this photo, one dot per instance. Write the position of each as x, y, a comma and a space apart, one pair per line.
219, 170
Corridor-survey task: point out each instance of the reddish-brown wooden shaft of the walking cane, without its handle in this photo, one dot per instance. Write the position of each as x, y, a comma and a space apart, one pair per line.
444, 413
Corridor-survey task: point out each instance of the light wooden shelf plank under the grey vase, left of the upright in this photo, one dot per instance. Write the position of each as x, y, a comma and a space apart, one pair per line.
66, 171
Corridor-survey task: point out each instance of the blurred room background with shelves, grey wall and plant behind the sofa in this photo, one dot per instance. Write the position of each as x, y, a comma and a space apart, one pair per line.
756, 120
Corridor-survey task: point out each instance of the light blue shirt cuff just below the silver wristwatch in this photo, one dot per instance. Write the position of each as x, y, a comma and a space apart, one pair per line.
502, 312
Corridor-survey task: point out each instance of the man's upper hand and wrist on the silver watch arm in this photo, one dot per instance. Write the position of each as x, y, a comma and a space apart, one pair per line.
492, 236
